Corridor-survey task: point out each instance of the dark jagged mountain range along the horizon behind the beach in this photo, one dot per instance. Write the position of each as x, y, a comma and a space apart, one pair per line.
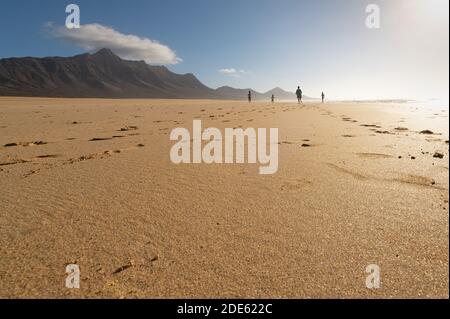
105, 75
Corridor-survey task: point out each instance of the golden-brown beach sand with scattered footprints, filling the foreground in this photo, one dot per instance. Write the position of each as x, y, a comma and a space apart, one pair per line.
90, 182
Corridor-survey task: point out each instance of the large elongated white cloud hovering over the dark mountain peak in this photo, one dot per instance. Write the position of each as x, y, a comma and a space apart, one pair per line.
93, 37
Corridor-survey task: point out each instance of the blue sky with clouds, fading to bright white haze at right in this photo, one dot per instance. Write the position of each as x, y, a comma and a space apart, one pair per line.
320, 45
